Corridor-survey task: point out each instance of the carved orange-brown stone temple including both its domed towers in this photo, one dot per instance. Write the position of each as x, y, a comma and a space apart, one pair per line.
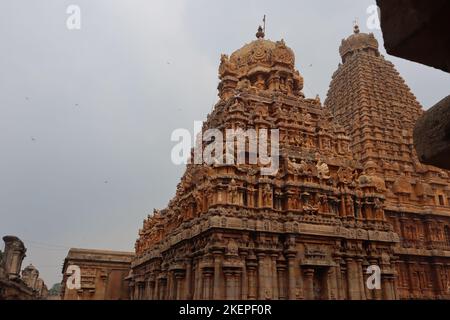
349, 193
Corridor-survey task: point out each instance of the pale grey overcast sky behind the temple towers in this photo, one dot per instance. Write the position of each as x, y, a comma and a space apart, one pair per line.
86, 115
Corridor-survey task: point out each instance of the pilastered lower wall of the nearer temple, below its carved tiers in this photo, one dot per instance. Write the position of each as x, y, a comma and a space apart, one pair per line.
304, 270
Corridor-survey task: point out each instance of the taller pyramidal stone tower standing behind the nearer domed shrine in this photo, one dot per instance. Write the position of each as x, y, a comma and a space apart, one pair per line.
371, 100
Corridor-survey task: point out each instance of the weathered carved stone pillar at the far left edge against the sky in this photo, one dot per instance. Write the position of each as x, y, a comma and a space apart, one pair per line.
13, 256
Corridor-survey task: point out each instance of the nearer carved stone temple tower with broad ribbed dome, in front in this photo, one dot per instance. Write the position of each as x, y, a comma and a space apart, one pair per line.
308, 230
